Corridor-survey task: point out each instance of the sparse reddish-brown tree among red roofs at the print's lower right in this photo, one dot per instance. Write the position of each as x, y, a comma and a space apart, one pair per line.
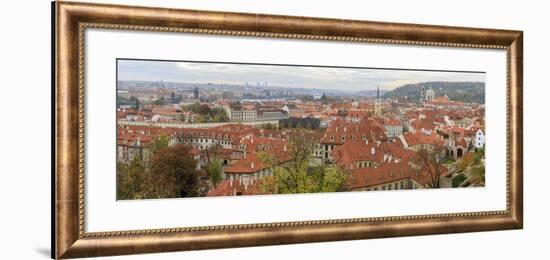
432, 163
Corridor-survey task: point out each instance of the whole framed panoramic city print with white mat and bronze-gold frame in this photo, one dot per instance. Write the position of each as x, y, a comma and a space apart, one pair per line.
185, 130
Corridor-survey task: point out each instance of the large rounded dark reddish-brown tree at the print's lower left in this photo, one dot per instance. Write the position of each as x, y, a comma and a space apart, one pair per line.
172, 174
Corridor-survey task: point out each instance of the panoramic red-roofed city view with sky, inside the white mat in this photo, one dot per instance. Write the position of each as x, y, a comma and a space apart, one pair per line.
205, 129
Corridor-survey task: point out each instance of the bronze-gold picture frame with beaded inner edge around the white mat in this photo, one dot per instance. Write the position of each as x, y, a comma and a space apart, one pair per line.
72, 19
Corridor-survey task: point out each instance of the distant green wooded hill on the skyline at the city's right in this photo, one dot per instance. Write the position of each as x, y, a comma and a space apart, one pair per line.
469, 92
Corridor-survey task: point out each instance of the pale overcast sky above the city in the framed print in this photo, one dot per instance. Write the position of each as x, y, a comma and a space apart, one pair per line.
283, 76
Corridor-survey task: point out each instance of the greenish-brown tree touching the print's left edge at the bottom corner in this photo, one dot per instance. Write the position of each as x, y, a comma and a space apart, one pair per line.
130, 178
